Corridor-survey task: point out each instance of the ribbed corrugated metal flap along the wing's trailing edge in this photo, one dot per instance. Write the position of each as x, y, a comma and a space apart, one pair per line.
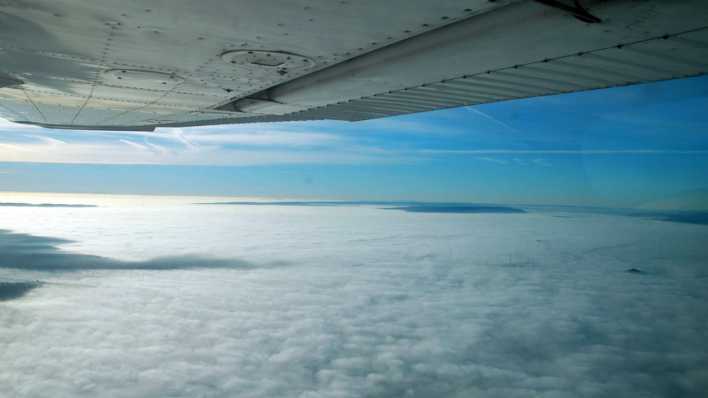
659, 58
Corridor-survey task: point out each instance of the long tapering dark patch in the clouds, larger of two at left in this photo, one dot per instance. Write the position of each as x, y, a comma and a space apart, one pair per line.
38, 253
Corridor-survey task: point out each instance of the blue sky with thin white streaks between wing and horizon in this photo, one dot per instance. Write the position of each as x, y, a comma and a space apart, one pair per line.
636, 146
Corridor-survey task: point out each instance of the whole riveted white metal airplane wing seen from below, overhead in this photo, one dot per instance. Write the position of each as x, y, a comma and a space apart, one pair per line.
117, 65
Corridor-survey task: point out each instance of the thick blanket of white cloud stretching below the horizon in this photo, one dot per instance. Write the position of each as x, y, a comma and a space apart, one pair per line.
361, 302
